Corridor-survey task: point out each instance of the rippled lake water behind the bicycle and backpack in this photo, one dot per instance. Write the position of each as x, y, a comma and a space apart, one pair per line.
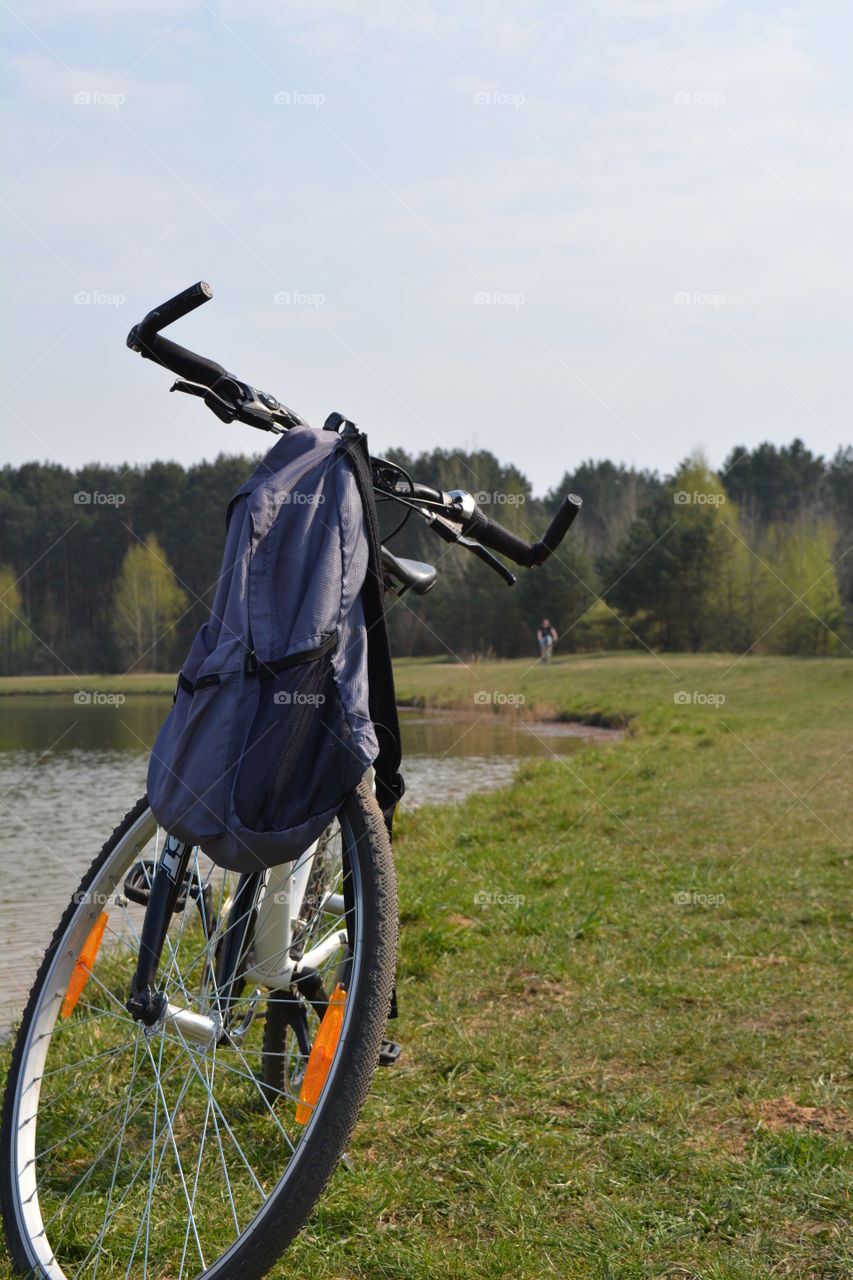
70, 774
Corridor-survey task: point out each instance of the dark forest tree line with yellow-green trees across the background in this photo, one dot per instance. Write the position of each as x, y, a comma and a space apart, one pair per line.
113, 569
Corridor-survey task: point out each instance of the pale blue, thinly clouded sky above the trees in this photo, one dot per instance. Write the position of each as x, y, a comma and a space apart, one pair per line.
558, 231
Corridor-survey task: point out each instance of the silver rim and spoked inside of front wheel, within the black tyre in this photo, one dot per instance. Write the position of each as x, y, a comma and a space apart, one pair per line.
148, 1153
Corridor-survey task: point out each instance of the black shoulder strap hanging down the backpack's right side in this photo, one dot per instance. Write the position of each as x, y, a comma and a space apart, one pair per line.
381, 678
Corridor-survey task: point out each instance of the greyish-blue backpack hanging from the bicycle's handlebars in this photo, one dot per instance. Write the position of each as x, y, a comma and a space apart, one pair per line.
286, 697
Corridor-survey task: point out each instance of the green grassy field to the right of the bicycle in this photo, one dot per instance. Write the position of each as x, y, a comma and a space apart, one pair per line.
624, 989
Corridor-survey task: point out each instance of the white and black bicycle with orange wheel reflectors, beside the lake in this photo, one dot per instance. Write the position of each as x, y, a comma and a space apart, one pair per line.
194, 1135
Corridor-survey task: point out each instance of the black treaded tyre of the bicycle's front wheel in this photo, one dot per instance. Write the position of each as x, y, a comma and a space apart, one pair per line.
264, 1238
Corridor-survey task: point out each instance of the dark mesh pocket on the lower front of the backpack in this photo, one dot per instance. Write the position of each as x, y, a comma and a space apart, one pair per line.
300, 758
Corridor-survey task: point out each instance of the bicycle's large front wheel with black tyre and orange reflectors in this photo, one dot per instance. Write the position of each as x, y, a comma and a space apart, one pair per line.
133, 1151
